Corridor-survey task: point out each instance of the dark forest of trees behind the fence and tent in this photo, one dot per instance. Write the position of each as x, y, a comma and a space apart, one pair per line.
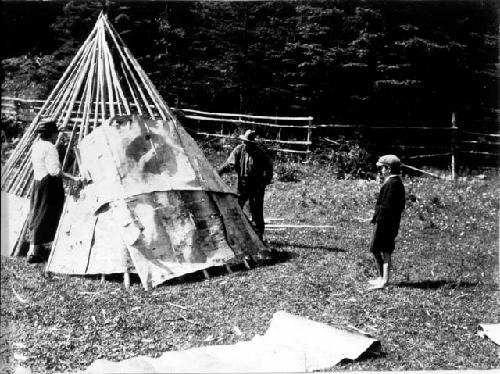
370, 63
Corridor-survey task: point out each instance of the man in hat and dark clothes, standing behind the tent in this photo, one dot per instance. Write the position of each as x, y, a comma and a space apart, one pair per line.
254, 168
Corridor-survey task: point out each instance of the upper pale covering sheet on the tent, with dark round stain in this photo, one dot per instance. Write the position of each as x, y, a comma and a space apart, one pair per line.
130, 155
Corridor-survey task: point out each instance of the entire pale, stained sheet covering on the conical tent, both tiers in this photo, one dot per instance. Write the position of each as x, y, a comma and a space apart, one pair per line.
141, 216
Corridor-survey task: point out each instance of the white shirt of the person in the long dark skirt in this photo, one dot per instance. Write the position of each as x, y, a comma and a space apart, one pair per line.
45, 159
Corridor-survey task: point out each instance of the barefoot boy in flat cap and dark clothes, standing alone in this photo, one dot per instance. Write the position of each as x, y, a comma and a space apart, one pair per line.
386, 219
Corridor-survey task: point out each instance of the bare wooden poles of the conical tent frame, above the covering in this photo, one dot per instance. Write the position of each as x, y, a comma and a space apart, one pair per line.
102, 80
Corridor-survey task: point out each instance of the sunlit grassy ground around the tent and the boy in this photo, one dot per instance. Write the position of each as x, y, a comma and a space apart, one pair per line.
444, 285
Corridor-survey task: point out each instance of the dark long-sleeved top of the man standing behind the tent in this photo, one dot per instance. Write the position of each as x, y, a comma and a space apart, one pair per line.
252, 164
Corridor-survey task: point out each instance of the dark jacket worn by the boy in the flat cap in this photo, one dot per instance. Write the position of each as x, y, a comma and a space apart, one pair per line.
390, 202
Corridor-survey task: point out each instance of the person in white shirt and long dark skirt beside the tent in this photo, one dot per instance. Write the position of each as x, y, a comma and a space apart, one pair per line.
47, 195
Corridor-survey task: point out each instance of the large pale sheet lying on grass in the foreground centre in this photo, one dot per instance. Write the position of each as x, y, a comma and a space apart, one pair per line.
292, 344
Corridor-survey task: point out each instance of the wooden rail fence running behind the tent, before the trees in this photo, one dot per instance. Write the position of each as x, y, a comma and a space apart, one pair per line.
300, 135
